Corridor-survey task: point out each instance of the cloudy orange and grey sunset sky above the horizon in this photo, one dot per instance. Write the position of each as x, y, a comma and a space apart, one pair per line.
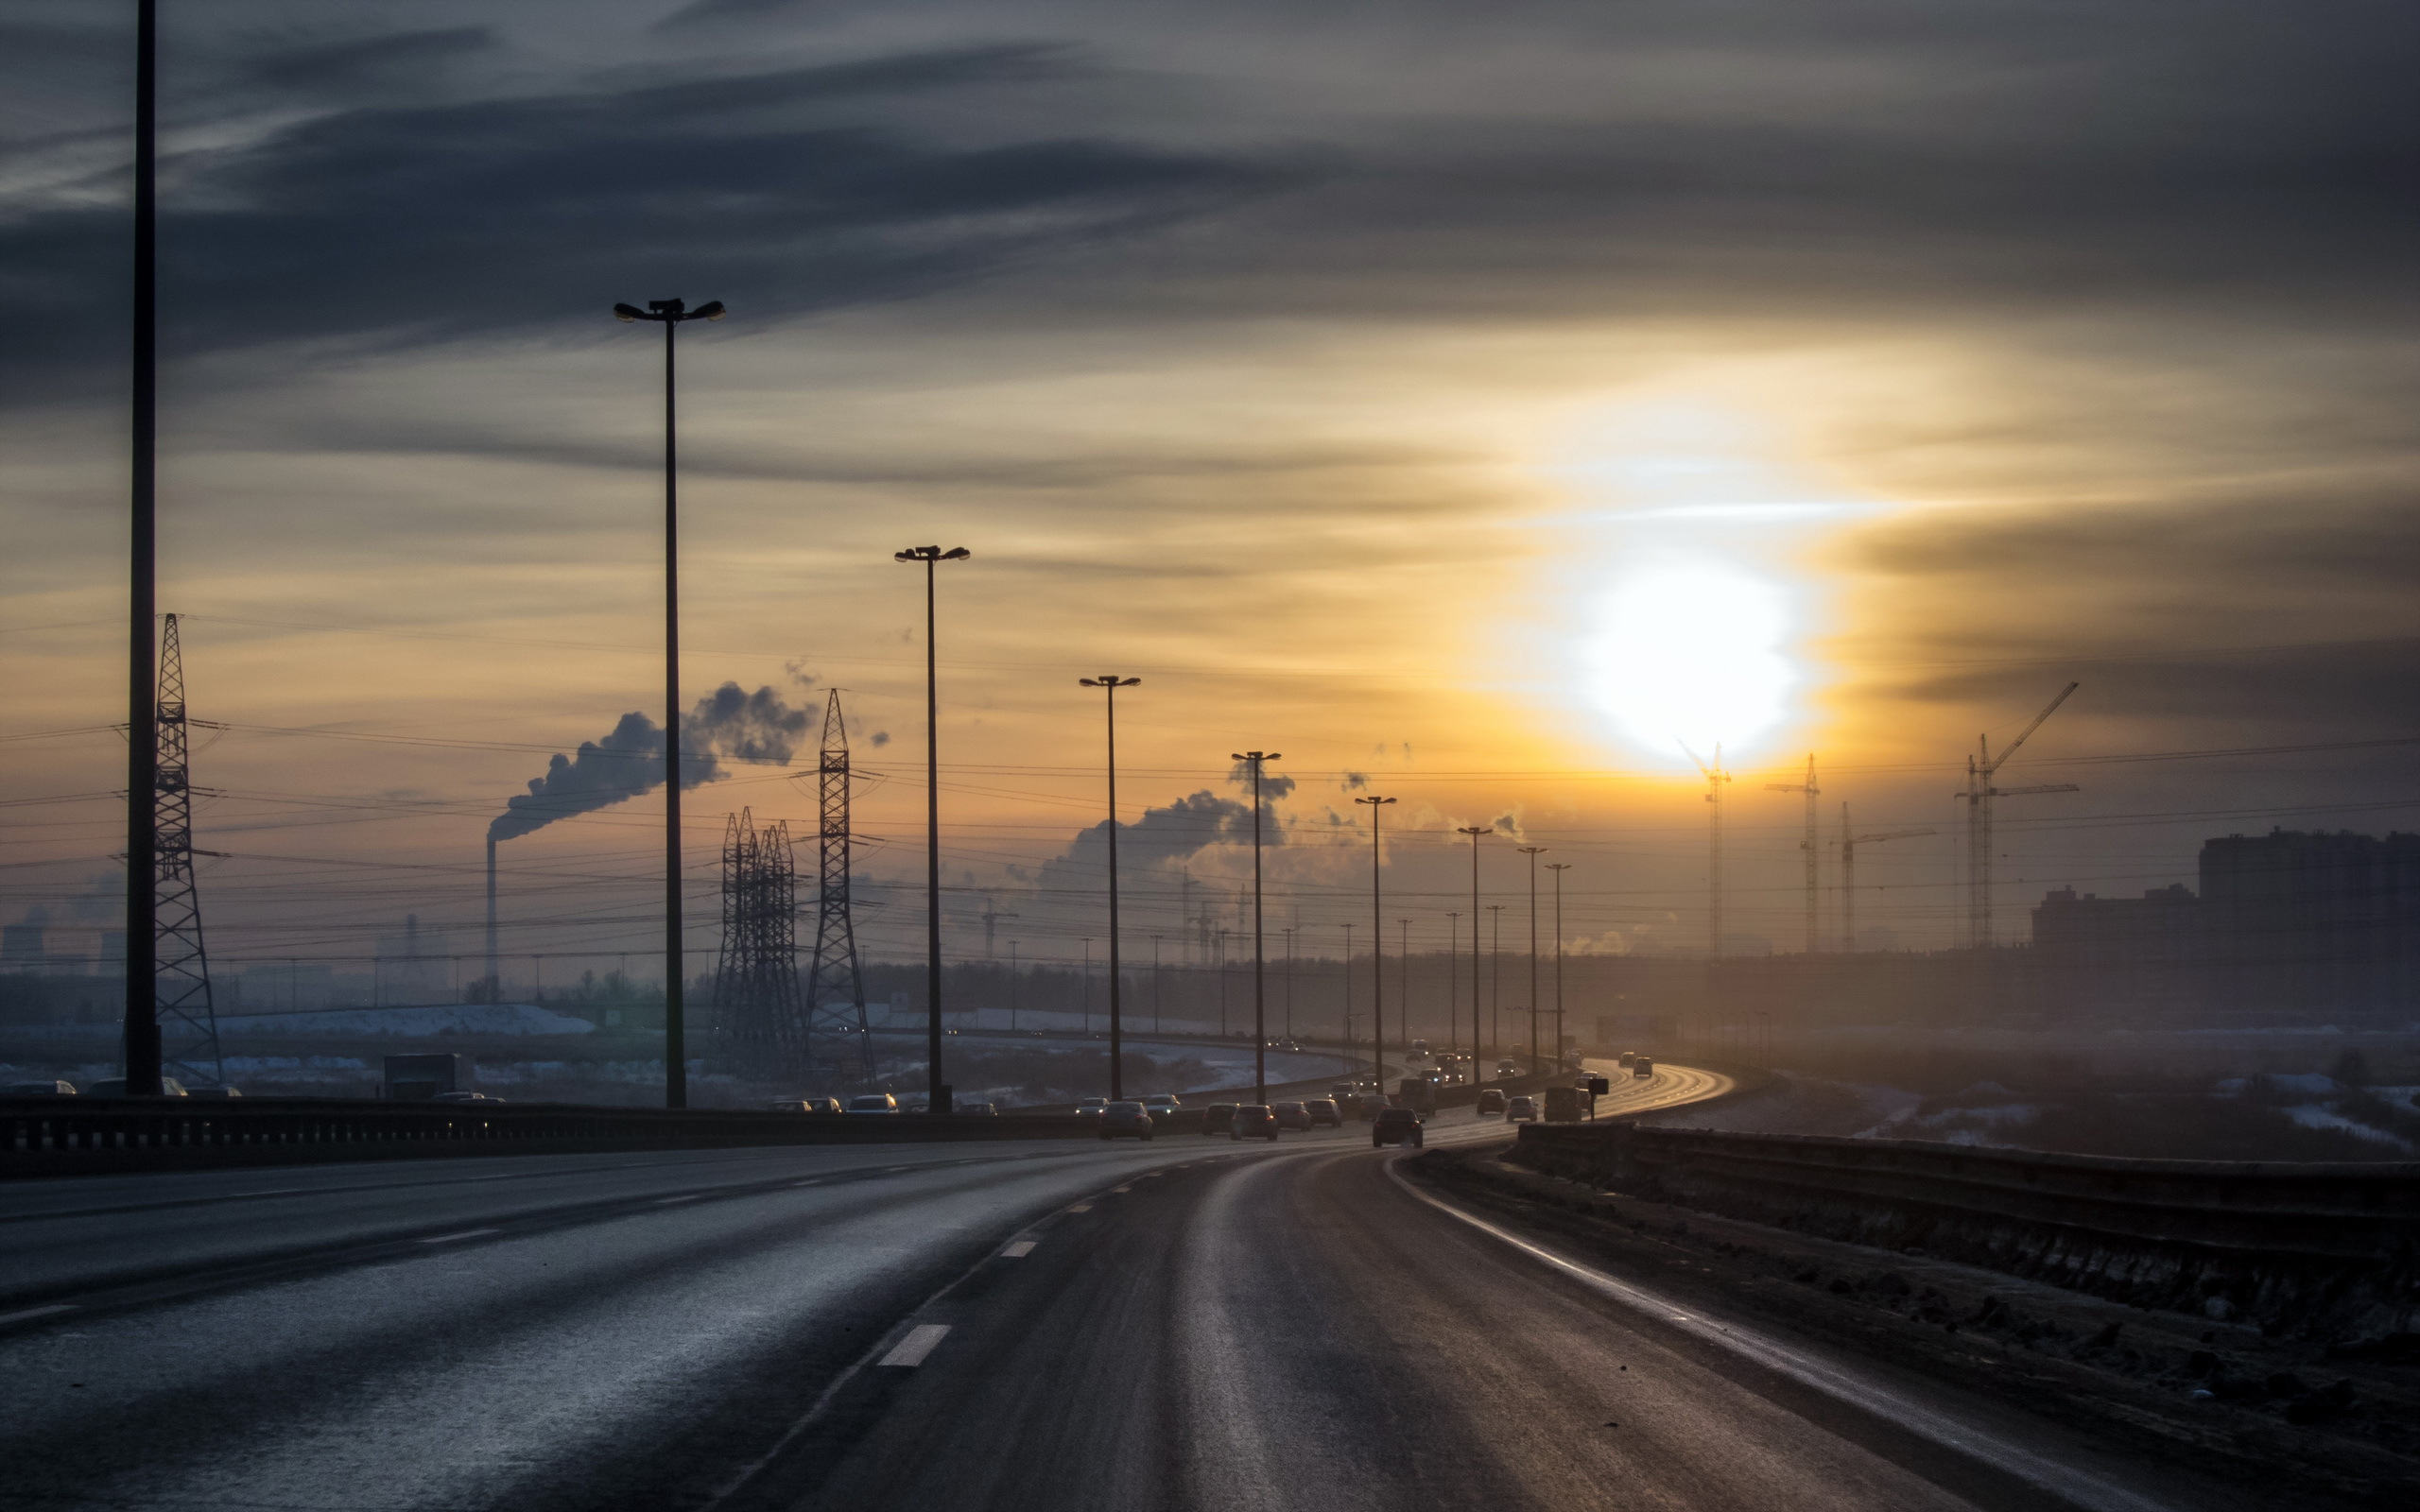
1480, 408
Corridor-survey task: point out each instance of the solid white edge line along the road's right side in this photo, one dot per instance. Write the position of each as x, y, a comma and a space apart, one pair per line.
2058, 1479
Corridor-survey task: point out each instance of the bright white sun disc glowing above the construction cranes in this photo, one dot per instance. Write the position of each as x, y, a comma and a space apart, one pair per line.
1695, 650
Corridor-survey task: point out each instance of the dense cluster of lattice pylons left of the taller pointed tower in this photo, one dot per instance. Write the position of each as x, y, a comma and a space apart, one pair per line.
756, 983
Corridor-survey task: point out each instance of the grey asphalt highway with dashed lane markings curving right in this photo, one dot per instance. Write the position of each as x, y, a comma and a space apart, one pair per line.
984, 1327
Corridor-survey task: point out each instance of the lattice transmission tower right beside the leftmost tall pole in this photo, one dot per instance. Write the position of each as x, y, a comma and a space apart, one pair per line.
188, 1015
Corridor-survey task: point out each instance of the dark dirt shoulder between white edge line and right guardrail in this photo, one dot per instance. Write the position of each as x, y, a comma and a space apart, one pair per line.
2312, 1426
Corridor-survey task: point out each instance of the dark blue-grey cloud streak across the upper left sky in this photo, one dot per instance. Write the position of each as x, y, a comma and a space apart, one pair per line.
500, 217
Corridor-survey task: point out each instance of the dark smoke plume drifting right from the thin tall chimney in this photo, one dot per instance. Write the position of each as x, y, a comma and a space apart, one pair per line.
725, 727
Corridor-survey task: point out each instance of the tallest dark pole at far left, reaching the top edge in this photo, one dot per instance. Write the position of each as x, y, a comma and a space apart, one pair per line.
142, 676
